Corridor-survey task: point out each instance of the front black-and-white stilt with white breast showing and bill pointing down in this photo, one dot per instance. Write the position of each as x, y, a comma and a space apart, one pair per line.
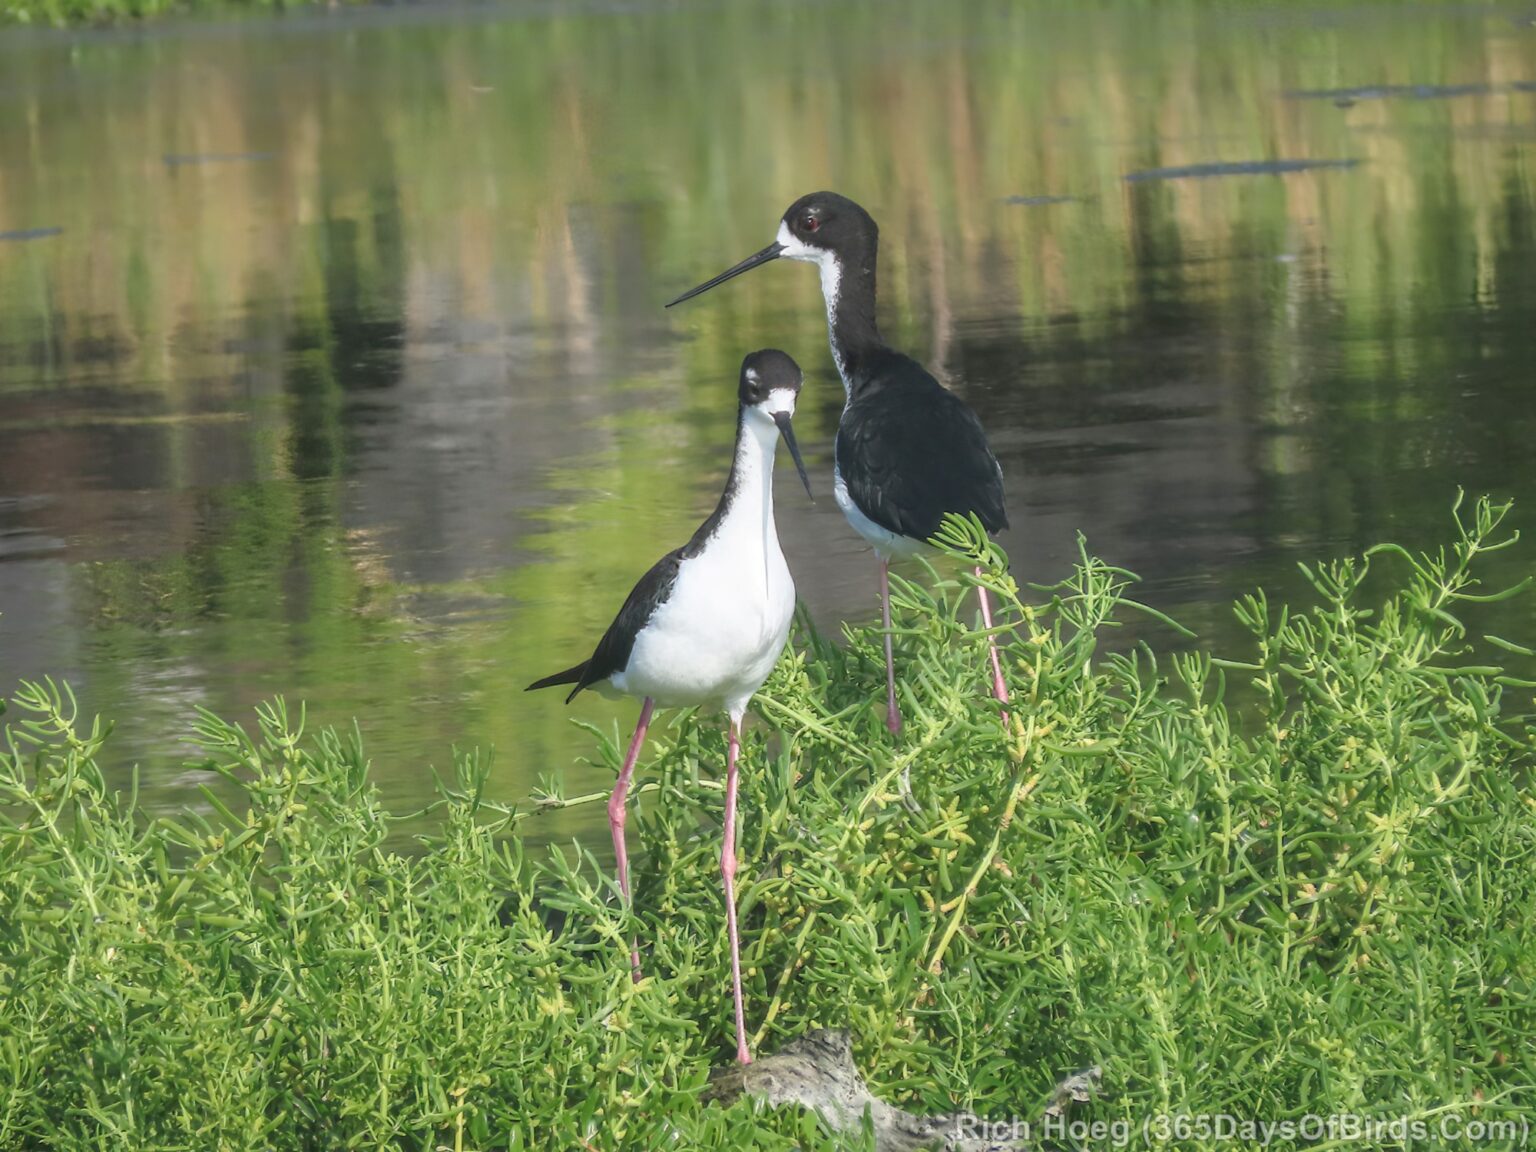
709, 621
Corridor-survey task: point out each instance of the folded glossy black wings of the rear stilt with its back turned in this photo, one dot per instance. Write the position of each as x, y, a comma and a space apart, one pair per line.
910, 451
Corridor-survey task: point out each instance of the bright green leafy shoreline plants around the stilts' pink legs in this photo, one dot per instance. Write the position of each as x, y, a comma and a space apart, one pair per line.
1320, 902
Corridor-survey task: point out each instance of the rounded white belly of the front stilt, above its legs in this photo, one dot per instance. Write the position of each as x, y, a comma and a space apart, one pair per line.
720, 634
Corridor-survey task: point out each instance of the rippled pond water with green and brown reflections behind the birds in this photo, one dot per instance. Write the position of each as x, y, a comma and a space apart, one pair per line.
334, 359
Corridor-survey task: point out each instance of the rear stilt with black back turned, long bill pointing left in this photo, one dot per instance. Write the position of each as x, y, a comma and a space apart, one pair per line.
909, 451
